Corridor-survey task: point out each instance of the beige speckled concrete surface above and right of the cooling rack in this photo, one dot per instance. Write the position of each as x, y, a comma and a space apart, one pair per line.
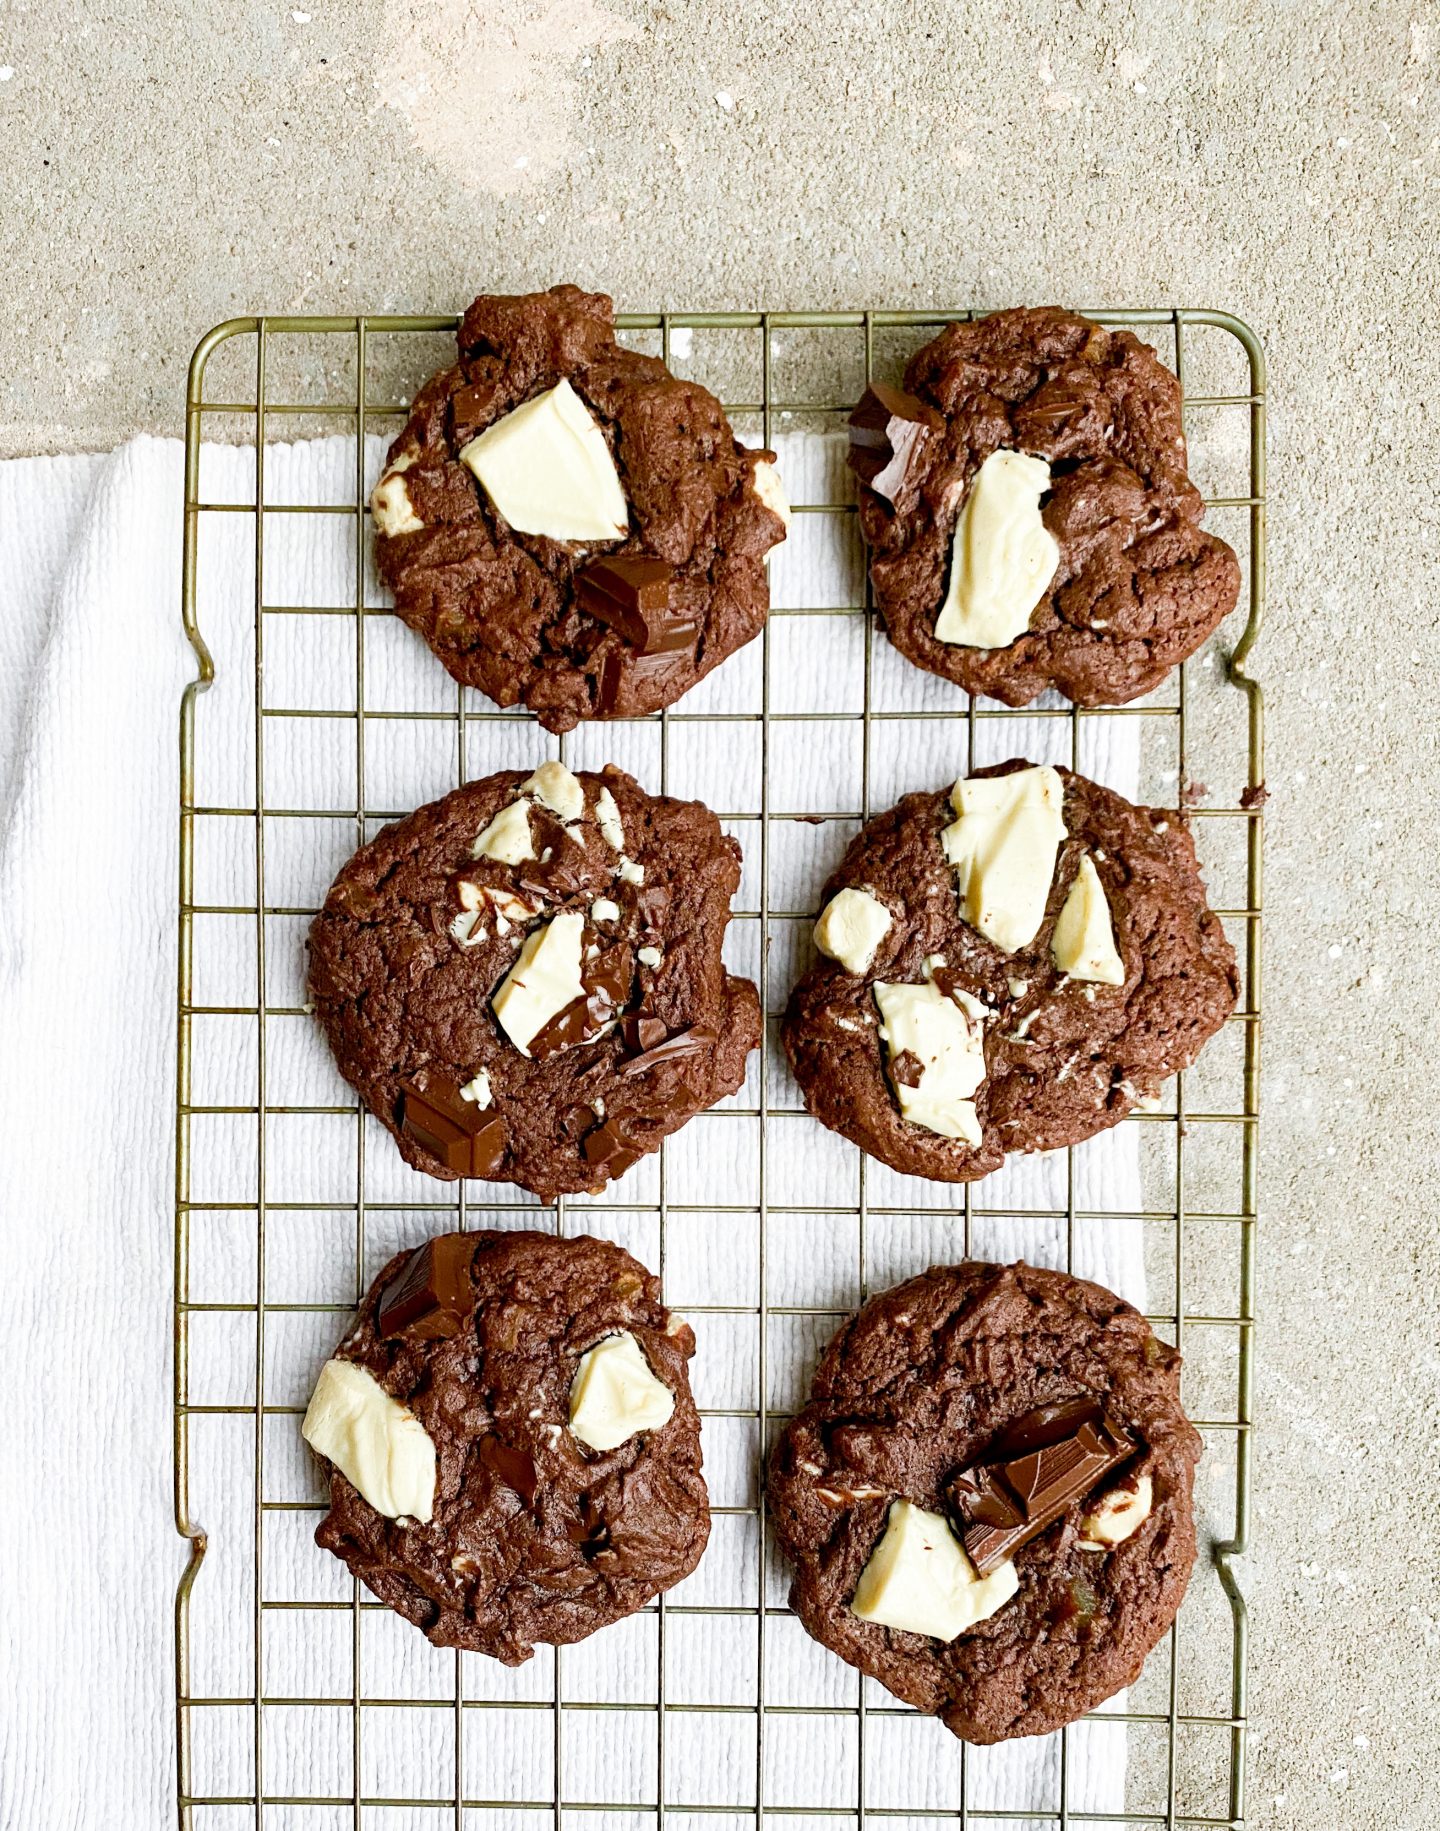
173, 164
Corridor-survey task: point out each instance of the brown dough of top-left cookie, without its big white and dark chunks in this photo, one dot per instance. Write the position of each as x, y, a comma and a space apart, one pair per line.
501, 607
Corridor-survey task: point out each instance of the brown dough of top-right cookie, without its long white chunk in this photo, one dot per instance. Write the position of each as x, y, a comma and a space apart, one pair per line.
1139, 585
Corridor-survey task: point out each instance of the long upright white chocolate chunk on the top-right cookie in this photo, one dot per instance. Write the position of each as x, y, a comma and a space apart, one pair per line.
1003, 556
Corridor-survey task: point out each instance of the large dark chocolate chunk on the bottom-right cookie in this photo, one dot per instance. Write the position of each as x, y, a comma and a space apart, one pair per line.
1047, 1462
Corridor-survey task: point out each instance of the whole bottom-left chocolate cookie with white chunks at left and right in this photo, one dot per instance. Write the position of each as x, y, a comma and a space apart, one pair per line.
512, 1442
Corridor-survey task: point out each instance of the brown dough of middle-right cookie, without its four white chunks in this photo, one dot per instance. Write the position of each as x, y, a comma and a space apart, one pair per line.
1062, 1059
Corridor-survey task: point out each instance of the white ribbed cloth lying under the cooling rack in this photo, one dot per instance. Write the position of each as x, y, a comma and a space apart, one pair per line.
93, 664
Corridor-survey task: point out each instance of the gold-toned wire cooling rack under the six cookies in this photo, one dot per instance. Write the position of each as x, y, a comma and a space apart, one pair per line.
300, 1700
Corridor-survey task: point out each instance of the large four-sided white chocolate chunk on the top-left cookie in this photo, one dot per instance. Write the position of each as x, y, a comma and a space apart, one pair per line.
549, 470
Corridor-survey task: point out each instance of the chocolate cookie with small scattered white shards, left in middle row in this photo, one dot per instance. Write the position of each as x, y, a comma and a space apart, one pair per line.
525, 982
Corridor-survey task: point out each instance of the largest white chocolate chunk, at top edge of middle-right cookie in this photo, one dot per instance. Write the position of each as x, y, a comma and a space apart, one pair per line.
1003, 850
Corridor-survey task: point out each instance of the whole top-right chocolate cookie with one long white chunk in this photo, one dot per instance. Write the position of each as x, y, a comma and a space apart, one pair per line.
1029, 512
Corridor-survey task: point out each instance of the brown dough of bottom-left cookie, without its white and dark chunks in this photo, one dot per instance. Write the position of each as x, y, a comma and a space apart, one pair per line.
534, 1537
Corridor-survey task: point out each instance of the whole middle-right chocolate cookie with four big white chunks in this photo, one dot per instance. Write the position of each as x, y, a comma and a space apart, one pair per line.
1012, 968
